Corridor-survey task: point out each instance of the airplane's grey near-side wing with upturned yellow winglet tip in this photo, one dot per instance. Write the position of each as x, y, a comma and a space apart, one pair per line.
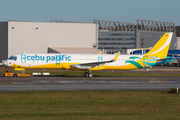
93, 64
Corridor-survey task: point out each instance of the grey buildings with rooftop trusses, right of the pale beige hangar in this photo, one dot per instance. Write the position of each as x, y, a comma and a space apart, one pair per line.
120, 36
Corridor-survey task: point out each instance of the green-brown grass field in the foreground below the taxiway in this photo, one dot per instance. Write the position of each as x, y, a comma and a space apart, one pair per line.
100, 105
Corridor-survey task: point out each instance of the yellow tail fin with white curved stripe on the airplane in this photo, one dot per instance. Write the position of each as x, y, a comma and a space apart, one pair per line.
161, 48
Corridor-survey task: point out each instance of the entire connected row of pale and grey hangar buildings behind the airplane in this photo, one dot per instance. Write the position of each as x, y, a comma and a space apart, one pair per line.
74, 37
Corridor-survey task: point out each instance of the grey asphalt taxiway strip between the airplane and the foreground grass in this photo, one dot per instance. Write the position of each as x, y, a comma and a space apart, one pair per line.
82, 83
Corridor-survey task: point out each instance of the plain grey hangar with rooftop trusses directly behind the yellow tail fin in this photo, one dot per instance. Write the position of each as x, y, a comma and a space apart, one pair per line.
149, 32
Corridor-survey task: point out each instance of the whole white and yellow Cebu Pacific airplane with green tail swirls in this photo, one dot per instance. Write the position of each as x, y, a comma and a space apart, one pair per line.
90, 62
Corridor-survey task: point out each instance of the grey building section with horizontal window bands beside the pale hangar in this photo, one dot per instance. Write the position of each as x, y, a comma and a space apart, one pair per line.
115, 36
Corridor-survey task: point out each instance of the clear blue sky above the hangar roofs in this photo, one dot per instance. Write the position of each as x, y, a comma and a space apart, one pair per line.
89, 10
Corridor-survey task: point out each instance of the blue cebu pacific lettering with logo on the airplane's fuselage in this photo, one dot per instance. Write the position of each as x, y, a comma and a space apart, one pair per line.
35, 57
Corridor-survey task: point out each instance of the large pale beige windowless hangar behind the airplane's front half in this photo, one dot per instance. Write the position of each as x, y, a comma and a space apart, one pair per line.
41, 37
